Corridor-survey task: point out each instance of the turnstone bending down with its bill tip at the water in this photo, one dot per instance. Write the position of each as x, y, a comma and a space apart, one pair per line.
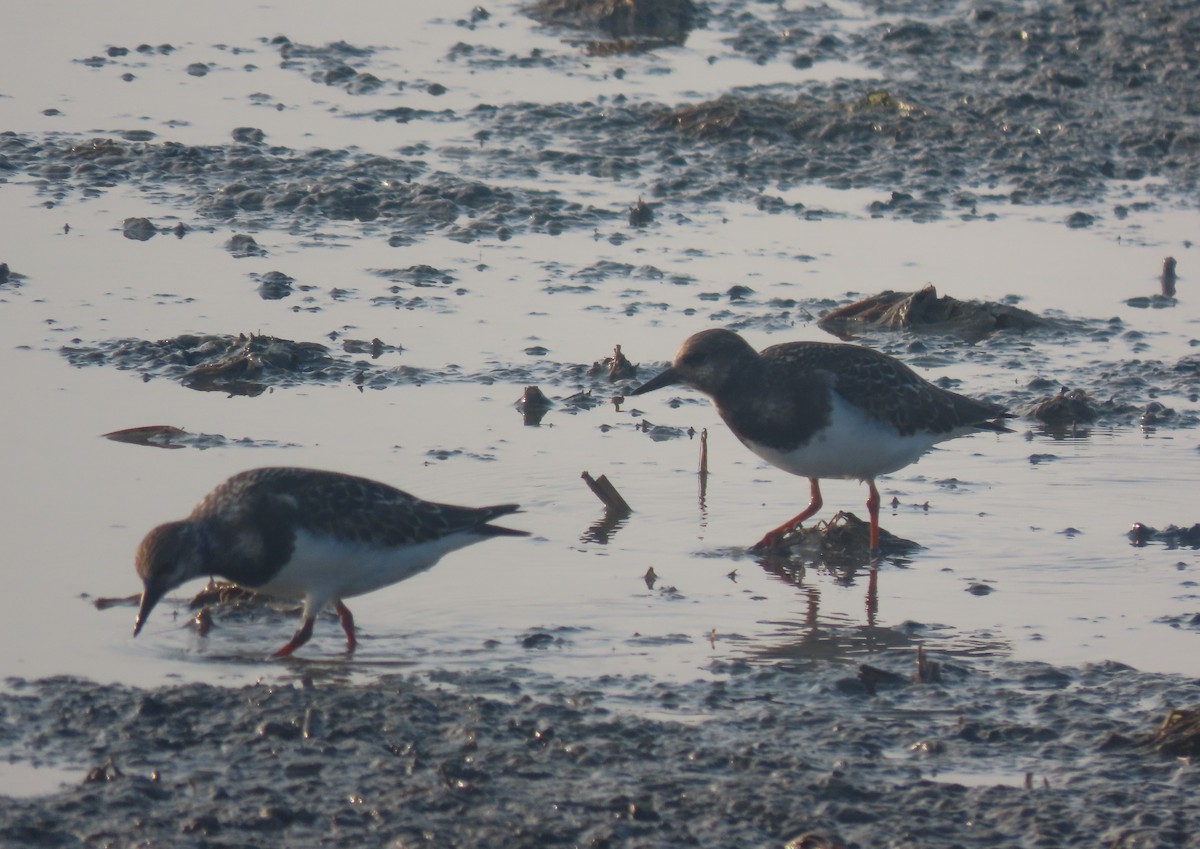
311, 537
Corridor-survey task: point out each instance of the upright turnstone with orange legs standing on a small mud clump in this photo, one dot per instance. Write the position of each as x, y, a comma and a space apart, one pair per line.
821, 410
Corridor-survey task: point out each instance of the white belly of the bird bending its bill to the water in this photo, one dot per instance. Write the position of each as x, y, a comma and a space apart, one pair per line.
323, 569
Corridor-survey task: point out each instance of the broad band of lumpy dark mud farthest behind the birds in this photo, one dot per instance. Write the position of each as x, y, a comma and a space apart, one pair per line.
965, 115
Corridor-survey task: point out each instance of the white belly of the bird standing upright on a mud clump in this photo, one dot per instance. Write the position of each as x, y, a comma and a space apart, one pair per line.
854, 447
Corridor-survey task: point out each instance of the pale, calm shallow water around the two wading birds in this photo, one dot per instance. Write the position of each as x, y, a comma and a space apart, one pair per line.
1039, 519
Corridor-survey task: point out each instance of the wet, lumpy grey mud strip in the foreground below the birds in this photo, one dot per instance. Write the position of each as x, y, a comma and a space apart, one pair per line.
988, 755
